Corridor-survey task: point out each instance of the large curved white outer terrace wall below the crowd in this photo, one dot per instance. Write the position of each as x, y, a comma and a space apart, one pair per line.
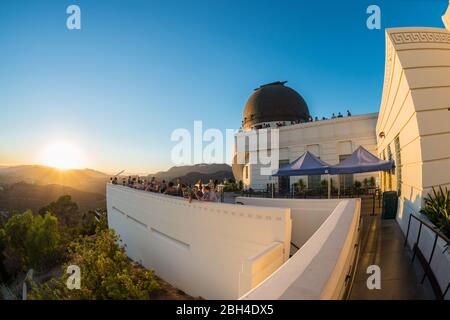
213, 250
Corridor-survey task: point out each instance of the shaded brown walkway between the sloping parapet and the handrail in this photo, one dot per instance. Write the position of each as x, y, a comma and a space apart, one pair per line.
382, 245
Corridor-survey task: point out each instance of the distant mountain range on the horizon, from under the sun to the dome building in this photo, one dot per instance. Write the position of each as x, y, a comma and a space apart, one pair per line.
34, 186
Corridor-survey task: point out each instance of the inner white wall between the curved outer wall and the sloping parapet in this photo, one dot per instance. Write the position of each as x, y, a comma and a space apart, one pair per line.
307, 214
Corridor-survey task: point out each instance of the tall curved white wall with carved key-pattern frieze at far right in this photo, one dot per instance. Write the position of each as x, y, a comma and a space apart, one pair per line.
415, 108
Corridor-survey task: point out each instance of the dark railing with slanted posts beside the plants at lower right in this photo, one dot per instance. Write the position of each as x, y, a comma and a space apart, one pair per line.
428, 271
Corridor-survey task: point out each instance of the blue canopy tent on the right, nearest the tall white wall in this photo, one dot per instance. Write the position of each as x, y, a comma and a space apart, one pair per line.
361, 161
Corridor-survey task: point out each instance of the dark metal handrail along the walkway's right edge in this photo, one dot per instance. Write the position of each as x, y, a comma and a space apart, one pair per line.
438, 234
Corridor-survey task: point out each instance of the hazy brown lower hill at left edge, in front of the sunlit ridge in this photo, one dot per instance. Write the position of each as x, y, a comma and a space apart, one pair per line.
22, 196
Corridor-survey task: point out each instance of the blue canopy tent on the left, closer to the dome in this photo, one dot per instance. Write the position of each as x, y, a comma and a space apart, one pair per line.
306, 165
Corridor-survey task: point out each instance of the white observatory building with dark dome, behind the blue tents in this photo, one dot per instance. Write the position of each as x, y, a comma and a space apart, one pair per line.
333, 140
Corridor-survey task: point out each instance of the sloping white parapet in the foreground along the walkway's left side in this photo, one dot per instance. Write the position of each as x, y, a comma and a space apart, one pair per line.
318, 270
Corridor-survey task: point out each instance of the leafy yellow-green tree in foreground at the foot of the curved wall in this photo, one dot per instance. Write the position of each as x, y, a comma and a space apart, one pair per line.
106, 273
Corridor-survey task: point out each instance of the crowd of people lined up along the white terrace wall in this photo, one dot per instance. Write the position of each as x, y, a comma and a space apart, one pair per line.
199, 191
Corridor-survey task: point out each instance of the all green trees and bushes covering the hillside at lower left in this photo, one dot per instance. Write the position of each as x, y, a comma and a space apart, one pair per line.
58, 236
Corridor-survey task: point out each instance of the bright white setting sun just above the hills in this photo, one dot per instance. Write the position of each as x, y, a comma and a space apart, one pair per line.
63, 156
